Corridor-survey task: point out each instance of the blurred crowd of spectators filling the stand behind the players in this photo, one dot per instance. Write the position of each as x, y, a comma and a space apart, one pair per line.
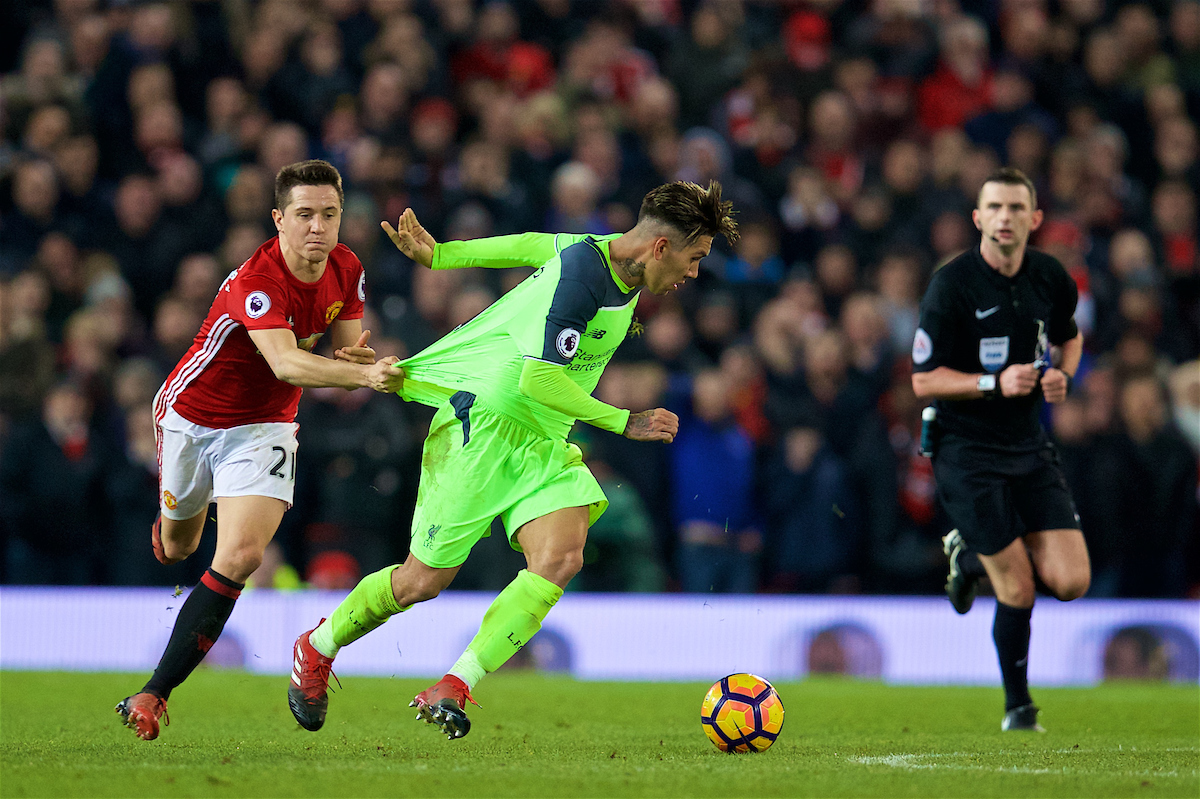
141, 141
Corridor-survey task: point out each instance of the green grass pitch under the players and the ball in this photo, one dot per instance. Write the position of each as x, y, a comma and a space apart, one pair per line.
232, 736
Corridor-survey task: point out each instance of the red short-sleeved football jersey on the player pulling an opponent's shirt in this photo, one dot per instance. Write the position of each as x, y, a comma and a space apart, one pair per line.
224, 381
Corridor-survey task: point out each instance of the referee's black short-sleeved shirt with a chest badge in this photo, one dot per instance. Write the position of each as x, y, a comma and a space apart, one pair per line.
976, 321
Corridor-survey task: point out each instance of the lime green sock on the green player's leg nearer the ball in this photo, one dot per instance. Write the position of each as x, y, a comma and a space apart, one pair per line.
508, 626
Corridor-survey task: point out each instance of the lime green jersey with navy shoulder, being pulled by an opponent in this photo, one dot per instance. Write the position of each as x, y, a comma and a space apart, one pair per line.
573, 311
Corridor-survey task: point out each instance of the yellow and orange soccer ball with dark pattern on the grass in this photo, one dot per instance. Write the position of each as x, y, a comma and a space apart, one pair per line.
742, 713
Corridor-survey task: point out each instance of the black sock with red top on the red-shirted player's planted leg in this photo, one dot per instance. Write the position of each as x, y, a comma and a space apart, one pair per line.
200, 624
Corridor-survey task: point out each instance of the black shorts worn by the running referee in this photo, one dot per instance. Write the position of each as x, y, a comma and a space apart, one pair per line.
995, 497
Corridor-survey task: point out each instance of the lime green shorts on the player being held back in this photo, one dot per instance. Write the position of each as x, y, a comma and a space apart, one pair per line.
478, 465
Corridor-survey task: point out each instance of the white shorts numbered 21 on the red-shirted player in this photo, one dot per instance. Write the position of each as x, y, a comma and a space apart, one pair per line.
199, 465
